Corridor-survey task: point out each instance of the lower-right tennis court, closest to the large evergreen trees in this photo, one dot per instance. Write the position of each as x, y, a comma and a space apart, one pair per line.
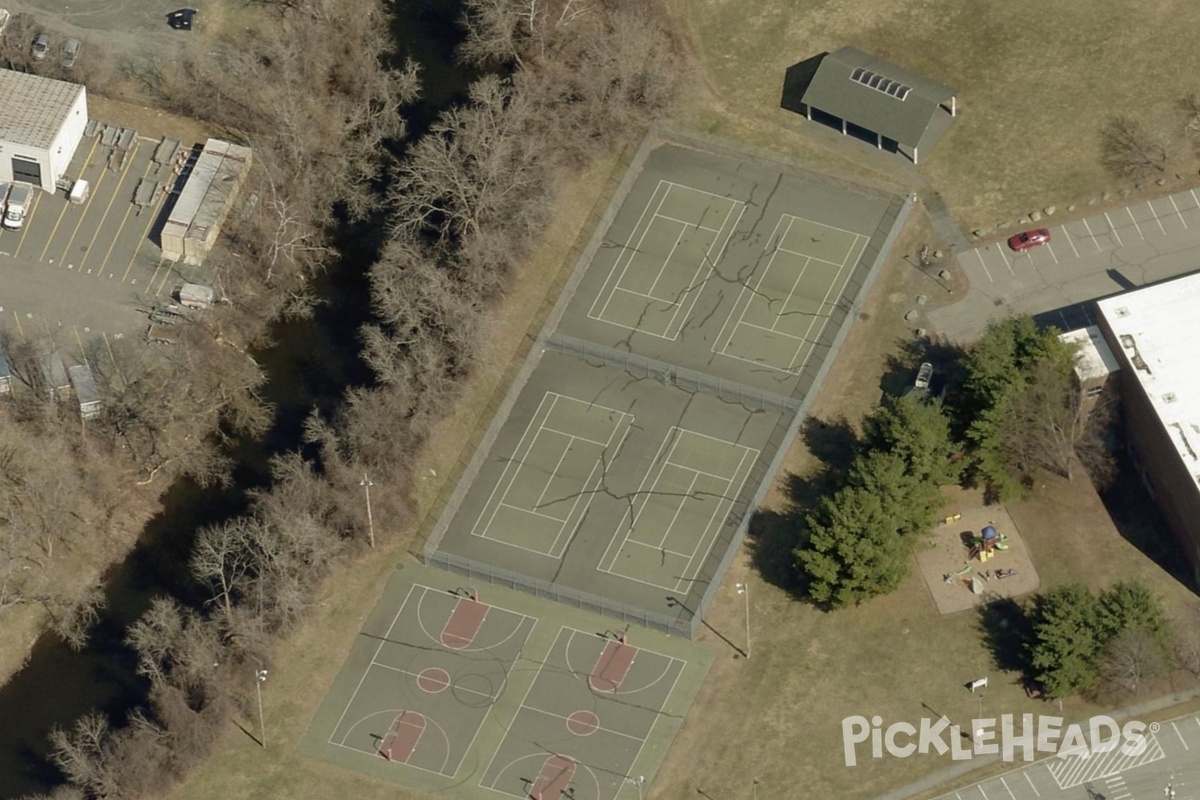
680, 510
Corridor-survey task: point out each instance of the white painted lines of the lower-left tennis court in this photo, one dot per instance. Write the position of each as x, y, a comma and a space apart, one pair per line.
518, 461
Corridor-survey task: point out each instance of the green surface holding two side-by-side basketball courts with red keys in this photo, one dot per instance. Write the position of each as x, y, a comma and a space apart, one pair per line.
484, 702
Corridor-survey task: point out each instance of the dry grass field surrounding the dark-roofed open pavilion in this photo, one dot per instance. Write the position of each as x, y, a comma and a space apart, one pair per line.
1036, 82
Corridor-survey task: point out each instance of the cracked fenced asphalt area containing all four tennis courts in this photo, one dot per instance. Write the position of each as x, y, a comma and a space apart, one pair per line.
632, 455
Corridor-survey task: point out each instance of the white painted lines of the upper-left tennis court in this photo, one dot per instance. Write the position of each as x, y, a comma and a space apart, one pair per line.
610, 287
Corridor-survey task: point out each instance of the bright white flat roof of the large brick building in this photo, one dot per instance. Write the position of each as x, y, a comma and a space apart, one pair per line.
1156, 330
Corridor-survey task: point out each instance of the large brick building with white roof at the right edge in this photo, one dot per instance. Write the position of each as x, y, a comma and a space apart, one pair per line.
1154, 335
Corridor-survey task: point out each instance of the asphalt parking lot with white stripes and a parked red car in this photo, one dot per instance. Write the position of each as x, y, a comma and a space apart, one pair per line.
1089, 258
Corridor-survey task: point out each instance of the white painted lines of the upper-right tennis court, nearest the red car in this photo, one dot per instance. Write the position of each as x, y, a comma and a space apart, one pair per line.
724, 342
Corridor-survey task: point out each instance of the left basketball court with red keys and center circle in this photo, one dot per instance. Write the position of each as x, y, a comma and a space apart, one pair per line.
433, 681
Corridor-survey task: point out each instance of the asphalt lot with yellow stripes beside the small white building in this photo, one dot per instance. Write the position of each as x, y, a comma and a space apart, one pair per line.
94, 266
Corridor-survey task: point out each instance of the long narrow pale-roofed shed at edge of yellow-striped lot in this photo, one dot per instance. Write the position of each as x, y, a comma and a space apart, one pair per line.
195, 222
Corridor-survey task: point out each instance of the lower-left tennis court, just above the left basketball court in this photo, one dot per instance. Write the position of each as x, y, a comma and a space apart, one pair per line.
549, 483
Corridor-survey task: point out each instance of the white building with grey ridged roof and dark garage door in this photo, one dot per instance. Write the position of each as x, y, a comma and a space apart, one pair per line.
41, 124
